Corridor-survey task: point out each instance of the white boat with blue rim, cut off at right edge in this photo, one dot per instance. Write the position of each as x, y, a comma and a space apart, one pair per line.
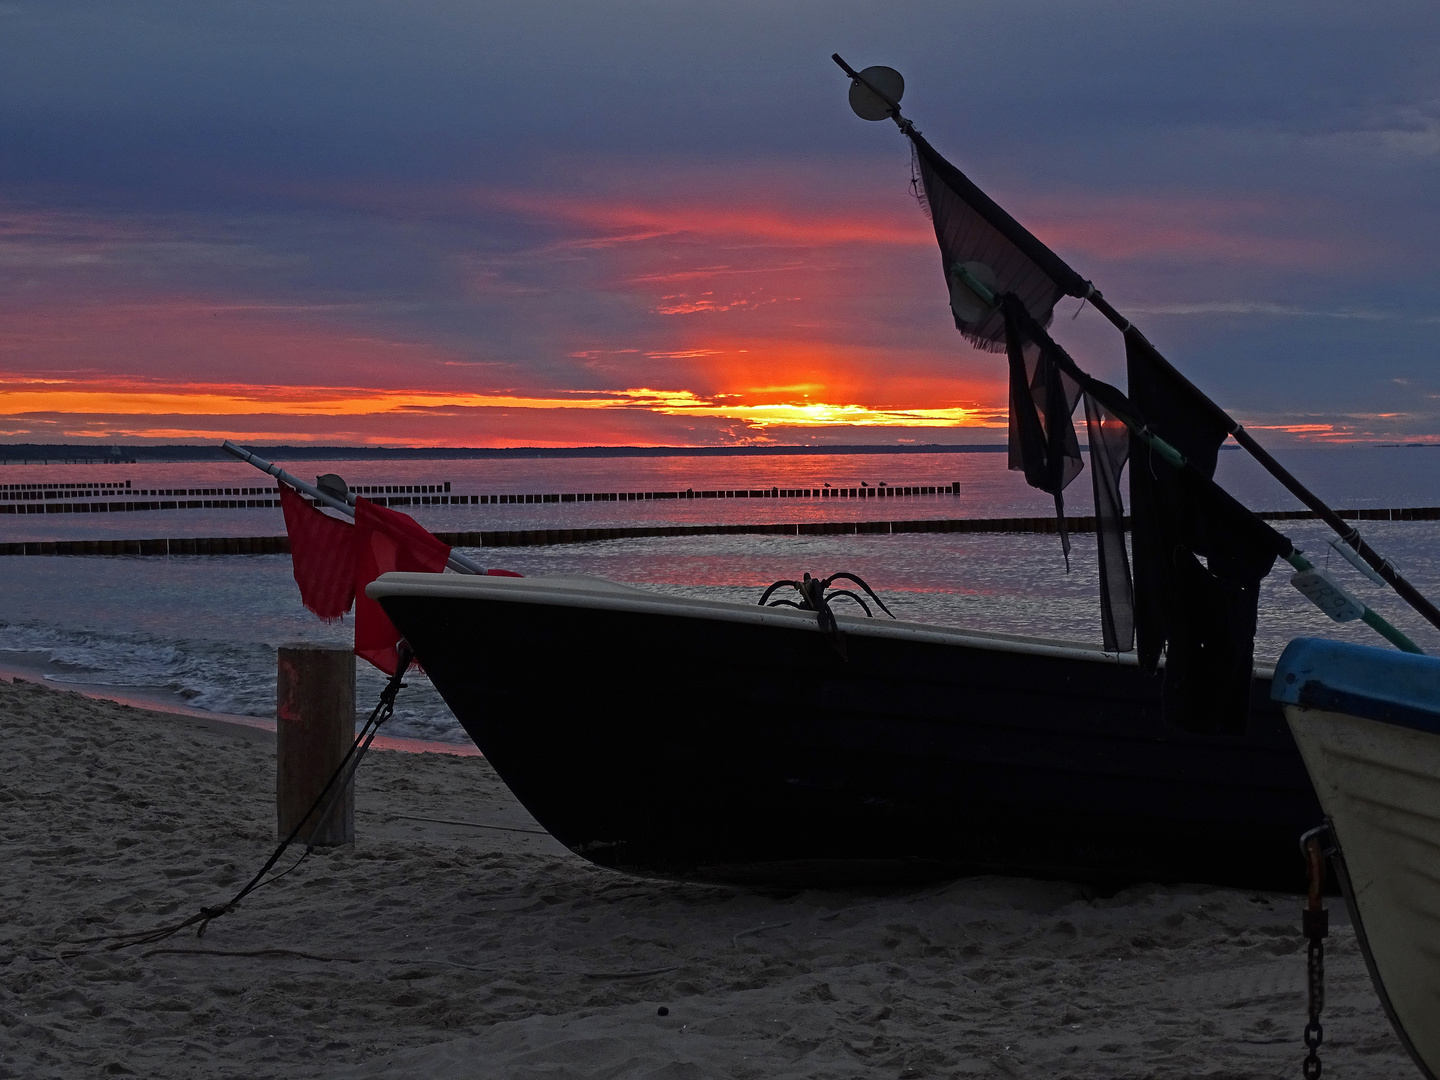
1367, 722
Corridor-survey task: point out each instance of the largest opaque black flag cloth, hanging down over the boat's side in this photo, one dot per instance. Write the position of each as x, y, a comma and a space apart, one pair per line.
1202, 614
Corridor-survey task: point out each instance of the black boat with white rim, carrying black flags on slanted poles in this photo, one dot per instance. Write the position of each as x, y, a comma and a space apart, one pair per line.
718, 741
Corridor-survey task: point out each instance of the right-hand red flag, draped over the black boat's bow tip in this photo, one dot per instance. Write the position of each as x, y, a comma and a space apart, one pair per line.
387, 541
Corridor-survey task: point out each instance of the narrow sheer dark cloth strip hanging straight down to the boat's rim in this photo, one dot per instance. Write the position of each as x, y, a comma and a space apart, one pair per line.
1110, 451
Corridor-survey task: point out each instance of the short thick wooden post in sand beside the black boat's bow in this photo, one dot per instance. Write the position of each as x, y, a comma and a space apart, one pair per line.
316, 724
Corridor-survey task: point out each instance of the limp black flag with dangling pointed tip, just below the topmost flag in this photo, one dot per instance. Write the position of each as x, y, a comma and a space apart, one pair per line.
1043, 441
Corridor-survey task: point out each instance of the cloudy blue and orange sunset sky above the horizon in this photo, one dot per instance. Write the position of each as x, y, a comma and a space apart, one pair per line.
660, 224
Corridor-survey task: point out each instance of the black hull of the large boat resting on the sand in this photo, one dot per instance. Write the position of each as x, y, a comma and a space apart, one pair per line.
708, 750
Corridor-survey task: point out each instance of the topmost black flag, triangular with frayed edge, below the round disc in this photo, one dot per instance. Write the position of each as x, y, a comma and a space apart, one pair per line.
977, 234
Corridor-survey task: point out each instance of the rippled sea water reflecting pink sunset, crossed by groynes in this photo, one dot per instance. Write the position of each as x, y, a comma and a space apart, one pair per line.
204, 630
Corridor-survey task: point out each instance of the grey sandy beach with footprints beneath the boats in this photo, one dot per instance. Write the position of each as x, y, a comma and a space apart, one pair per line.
457, 940
